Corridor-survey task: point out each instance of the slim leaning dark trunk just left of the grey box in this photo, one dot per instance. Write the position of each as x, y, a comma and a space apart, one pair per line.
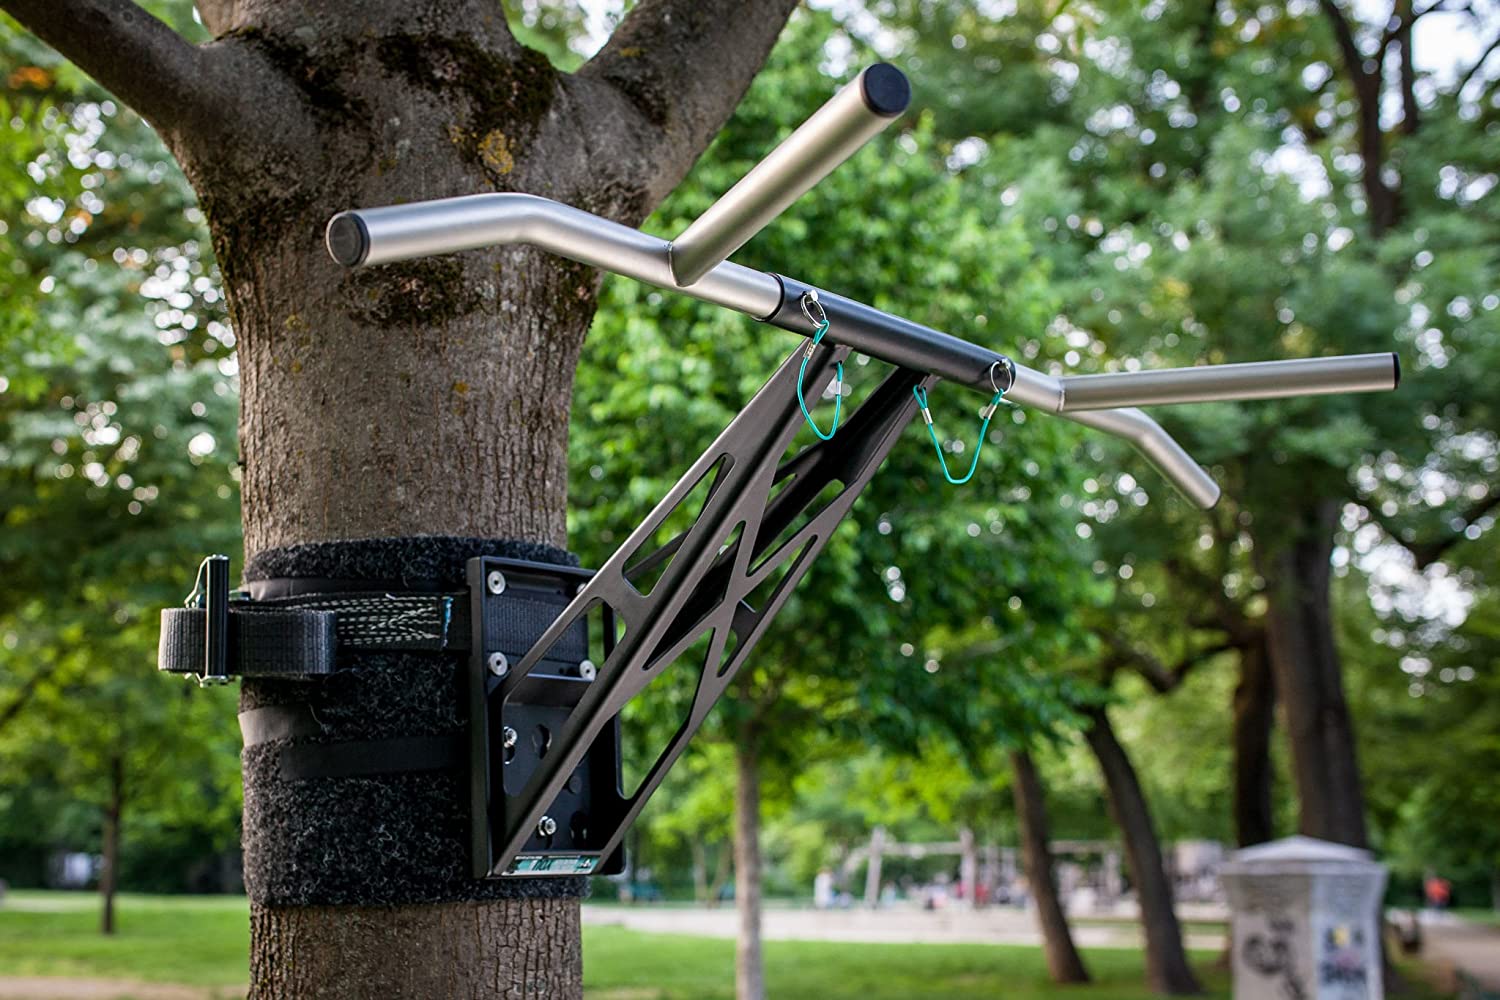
1168, 968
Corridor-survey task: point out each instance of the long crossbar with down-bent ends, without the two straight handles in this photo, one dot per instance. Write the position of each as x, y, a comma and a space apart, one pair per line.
398, 233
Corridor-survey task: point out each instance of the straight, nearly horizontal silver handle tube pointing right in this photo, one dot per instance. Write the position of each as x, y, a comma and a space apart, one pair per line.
1217, 383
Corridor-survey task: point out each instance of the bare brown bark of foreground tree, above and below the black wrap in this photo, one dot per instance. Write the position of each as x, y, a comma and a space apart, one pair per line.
427, 398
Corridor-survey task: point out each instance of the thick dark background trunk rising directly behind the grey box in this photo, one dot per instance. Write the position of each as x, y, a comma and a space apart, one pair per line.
1309, 678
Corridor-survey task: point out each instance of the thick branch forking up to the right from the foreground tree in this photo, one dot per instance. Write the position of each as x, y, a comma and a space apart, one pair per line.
682, 67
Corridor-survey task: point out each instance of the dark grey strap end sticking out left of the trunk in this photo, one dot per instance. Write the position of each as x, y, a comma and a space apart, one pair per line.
262, 642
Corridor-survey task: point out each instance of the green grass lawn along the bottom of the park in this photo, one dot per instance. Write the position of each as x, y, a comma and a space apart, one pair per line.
203, 941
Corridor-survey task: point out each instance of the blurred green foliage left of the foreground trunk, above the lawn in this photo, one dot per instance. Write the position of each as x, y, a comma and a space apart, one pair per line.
118, 473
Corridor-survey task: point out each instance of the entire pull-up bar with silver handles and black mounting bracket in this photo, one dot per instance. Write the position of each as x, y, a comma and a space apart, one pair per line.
773, 509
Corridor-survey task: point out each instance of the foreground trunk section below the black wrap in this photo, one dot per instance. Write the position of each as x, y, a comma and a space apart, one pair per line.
511, 948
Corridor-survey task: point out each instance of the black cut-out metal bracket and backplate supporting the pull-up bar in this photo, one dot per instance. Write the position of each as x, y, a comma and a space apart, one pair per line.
724, 579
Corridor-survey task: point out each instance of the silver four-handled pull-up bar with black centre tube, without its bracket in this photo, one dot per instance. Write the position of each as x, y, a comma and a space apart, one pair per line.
695, 266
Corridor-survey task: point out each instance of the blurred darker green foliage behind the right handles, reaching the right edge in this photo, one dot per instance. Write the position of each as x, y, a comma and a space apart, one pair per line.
1192, 175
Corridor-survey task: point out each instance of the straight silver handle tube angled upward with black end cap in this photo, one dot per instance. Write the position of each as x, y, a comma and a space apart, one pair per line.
836, 131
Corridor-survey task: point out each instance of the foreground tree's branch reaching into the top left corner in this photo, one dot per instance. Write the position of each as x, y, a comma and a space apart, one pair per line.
131, 53
